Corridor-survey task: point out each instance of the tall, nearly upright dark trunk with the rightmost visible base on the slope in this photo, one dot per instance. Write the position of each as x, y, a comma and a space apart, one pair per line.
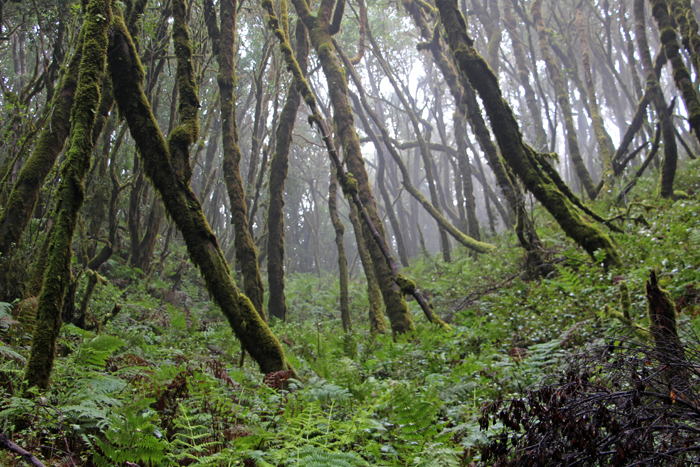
656, 96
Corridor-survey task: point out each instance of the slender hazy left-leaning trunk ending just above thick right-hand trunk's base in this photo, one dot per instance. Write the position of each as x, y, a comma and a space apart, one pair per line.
563, 99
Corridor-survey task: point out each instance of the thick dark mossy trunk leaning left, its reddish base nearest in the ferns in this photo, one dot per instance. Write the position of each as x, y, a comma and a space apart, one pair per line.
182, 204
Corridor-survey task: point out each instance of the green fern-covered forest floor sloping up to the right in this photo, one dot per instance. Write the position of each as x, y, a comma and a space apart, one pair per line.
163, 383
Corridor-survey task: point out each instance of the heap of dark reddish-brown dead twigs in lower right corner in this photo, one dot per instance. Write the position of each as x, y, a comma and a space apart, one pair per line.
627, 404
